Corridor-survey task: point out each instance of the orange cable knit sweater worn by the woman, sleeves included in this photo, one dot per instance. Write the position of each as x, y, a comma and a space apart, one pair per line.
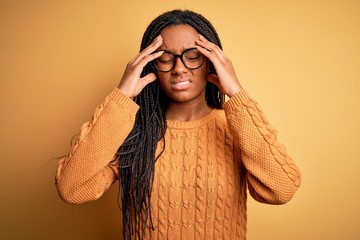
202, 177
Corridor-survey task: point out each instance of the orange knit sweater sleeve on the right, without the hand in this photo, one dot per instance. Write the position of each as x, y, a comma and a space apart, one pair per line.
272, 175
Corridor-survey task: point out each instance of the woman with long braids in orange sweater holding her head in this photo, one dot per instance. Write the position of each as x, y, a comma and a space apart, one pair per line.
184, 157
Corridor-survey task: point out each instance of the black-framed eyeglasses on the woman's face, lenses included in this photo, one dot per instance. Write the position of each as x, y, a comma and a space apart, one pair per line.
191, 58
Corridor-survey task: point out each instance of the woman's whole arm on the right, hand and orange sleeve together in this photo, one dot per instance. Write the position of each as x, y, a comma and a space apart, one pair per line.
272, 175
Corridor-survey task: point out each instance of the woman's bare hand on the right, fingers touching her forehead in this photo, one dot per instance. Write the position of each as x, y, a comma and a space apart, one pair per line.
226, 79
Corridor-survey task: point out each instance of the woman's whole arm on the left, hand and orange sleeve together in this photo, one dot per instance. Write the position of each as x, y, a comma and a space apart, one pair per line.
85, 173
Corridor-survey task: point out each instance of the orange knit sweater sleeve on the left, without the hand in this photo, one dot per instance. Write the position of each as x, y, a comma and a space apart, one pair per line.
85, 173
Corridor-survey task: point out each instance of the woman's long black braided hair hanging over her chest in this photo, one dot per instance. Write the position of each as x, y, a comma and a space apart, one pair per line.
136, 156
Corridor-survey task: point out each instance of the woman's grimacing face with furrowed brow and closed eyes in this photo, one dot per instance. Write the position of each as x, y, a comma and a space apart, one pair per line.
181, 84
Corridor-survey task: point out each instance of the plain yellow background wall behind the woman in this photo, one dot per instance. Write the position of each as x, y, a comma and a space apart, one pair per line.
299, 59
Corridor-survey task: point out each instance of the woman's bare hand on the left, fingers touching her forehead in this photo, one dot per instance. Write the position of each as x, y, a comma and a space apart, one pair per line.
131, 83
